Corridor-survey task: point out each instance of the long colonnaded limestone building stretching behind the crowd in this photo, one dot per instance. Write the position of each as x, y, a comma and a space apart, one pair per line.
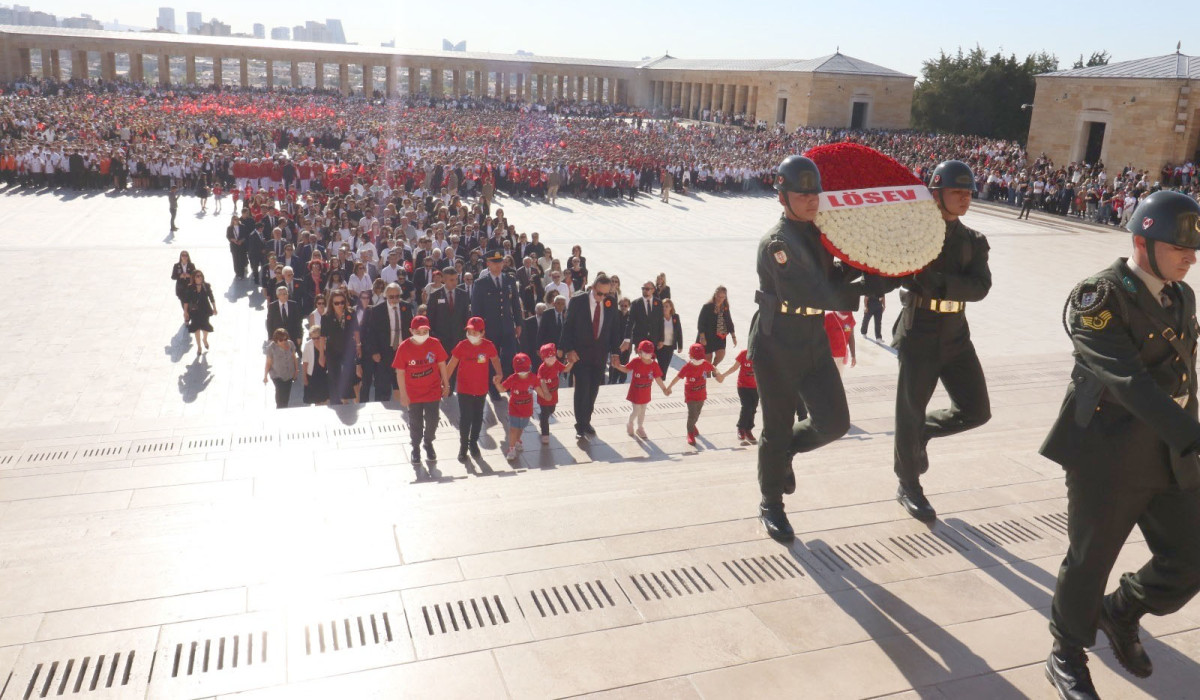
835, 91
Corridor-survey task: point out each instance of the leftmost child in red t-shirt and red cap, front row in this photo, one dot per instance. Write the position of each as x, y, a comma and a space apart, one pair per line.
421, 366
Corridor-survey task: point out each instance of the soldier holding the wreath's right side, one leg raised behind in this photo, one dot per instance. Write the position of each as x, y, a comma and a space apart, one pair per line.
934, 342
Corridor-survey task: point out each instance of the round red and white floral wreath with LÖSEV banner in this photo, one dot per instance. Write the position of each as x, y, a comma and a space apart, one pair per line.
875, 216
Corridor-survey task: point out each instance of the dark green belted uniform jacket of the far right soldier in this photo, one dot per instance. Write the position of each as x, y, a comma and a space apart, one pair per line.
1130, 416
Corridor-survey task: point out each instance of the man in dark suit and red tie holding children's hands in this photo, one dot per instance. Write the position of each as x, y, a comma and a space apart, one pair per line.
592, 340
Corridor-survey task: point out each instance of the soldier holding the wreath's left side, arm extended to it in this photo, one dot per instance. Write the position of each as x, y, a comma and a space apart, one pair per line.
799, 282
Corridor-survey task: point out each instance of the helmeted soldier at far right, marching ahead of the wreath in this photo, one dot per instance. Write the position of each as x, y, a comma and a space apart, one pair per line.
1127, 438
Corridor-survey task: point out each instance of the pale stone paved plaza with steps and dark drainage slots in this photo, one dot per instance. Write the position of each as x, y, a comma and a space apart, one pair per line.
165, 533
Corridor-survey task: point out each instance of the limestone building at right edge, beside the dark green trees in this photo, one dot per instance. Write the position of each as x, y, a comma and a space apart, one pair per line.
1144, 113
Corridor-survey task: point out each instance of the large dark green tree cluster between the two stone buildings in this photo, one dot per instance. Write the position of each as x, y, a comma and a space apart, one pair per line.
979, 94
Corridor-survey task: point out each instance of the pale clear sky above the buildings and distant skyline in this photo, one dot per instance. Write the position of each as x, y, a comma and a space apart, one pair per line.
897, 35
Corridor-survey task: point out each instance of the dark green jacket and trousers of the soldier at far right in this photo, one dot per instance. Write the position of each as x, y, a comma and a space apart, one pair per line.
1126, 436
